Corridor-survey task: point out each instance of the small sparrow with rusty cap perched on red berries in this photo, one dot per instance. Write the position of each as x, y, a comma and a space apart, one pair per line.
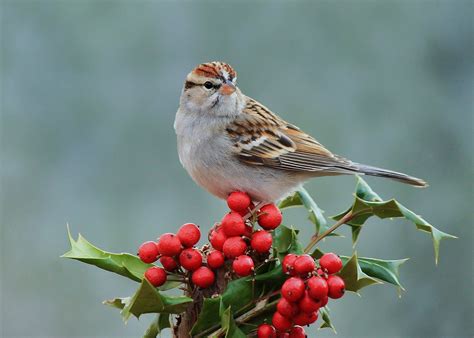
228, 141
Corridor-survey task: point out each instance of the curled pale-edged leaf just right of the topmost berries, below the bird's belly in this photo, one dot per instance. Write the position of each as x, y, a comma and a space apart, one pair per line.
303, 198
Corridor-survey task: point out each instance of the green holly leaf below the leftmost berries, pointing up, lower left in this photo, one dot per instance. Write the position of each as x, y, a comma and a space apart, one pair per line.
147, 299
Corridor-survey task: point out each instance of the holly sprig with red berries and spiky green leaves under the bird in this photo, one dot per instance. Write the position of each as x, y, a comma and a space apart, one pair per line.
255, 277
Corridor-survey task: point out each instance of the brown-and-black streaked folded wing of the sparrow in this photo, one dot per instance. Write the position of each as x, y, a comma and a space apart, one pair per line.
262, 138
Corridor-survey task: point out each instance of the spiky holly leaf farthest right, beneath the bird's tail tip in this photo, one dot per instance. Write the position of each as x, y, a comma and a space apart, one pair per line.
367, 204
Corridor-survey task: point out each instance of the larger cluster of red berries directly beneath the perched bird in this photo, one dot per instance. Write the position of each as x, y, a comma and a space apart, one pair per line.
233, 240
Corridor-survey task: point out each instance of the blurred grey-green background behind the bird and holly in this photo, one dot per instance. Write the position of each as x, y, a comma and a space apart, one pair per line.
89, 93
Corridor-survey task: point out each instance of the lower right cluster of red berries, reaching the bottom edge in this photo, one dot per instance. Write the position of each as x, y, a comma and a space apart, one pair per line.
307, 289
